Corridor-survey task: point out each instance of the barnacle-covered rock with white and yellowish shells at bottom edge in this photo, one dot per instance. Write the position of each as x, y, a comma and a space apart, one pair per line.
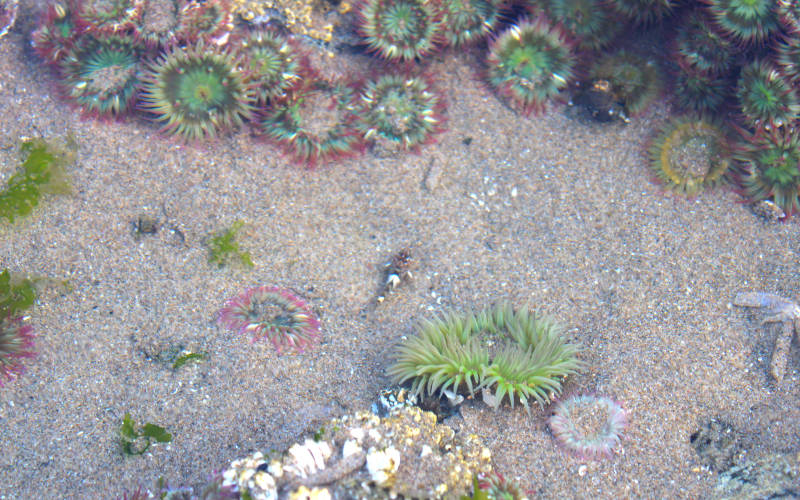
406, 454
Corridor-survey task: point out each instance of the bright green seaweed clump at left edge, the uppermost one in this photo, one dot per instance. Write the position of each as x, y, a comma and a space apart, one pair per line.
42, 173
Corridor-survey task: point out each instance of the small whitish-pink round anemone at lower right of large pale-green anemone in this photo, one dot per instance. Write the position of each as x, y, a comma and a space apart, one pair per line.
589, 426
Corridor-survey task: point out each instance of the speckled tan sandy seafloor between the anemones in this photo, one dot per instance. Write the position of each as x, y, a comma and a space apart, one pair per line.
551, 210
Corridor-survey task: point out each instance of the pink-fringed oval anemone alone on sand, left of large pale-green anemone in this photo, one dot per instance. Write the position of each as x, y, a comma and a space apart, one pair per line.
274, 314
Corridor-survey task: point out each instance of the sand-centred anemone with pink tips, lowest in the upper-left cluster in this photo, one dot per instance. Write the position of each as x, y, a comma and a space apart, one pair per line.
315, 125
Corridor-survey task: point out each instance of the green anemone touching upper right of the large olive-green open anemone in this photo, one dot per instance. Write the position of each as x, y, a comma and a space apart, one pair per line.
272, 64
